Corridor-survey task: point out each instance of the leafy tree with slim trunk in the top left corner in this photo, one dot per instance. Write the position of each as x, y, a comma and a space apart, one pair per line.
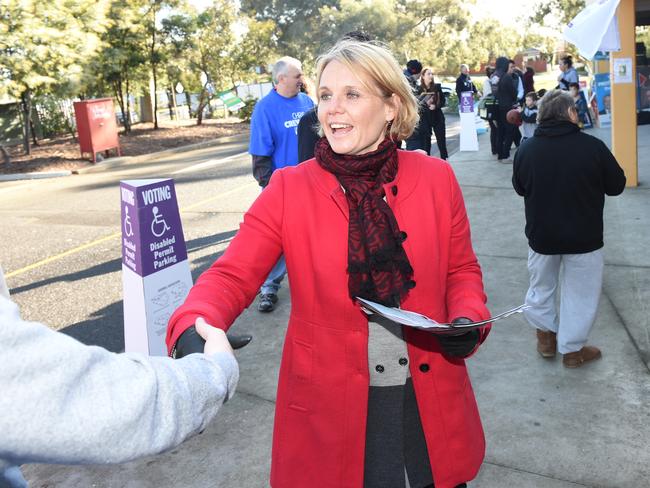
45, 46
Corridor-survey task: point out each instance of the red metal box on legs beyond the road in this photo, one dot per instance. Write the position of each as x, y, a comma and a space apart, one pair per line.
96, 126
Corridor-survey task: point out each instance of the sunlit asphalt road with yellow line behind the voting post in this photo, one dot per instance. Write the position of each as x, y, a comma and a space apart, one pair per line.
80, 292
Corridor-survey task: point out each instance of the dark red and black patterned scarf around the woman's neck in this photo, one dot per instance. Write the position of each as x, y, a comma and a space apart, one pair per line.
378, 267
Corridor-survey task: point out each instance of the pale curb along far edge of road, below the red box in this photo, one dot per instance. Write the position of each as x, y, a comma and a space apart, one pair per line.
114, 162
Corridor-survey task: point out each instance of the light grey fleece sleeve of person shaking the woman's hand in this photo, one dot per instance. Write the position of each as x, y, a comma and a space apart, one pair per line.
64, 402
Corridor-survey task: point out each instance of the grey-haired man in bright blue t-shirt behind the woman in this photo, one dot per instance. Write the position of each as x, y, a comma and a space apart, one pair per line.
274, 144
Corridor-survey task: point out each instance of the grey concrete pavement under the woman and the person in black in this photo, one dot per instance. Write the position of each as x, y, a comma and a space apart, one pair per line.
546, 426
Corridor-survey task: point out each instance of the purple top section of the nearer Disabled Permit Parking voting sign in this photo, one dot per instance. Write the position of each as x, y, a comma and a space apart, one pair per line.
152, 234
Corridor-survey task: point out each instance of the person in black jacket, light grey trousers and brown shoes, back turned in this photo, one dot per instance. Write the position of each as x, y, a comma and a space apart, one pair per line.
564, 175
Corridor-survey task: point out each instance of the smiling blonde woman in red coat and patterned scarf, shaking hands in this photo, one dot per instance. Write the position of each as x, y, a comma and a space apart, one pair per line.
361, 402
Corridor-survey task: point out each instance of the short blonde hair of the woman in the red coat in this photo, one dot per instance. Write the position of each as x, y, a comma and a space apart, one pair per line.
382, 70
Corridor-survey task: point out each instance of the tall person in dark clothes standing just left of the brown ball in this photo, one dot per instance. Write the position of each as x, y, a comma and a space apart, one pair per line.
507, 98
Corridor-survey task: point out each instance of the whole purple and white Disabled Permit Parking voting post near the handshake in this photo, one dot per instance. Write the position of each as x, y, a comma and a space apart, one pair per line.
155, 270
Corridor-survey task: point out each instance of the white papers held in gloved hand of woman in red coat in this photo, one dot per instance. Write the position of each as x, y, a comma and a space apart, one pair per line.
419, 321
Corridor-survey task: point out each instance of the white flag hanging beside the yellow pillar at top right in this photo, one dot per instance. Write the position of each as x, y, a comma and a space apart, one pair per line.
595, 29
